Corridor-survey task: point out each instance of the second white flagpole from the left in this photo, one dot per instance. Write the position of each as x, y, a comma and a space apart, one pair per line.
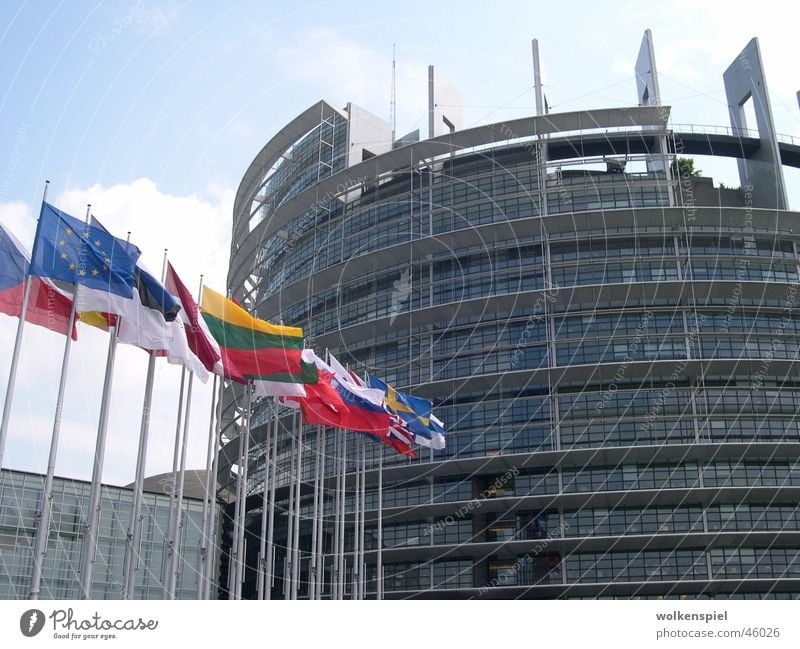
43, 515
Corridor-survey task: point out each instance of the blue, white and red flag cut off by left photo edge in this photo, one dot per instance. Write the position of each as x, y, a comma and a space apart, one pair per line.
48, 306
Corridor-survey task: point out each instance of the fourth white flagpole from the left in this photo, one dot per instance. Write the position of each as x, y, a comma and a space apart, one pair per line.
133, 536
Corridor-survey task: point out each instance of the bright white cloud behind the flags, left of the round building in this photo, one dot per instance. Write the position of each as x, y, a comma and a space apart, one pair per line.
196, 230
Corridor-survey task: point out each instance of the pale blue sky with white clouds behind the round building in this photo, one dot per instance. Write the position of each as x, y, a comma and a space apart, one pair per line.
151, 111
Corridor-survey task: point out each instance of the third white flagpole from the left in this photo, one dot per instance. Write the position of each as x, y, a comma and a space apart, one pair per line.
90, 538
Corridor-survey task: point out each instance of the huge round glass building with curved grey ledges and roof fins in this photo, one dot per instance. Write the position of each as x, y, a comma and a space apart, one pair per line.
611, 343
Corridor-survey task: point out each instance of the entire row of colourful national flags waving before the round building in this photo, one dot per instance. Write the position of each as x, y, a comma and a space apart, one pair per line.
78, 270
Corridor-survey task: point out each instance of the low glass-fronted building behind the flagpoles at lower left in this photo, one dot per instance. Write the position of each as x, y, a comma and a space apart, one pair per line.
20, 499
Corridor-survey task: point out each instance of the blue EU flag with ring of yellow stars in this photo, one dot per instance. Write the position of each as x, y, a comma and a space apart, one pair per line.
67, 249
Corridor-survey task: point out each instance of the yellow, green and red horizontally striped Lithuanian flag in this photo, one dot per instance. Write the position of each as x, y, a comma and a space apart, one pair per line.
253, 349
